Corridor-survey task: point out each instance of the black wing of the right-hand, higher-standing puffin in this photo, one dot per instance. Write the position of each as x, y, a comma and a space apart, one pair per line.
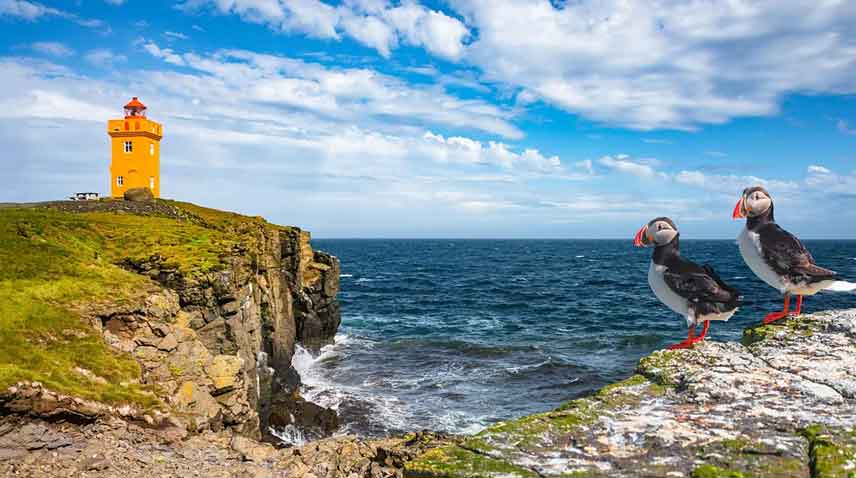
787, 255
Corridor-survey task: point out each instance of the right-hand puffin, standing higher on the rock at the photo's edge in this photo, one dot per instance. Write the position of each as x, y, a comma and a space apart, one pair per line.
777, 257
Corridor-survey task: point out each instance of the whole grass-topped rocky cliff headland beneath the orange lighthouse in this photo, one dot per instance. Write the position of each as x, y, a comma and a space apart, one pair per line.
163, 313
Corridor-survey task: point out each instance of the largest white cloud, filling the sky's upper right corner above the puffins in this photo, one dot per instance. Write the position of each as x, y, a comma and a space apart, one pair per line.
664, 64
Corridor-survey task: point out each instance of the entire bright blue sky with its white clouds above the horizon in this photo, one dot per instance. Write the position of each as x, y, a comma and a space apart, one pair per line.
459, 118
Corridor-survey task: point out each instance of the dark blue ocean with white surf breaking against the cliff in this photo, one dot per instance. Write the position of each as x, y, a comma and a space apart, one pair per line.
453, 335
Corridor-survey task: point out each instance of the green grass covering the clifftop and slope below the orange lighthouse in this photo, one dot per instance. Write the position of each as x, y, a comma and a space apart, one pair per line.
54, 266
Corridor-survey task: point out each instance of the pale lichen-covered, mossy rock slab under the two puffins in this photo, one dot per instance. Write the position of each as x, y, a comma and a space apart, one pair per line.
780, 404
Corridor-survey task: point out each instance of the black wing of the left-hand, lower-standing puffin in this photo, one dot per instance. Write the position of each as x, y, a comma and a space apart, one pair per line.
702, 286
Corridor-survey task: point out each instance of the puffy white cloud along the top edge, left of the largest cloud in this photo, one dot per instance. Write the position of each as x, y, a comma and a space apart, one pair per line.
381, 25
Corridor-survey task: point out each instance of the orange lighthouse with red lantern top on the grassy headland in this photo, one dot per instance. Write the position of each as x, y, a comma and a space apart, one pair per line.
135, 149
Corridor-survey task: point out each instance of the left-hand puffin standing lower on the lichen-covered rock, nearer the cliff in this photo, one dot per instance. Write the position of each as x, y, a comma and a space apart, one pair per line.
696, 292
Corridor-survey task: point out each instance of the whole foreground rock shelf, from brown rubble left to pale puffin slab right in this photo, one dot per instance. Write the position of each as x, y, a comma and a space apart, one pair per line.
780, 404
